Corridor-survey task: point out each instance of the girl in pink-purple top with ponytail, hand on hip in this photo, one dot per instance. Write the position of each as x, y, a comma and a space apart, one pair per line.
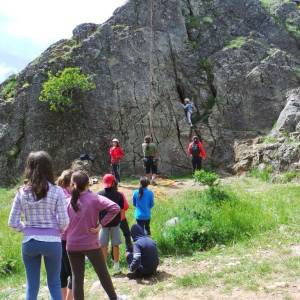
83, 211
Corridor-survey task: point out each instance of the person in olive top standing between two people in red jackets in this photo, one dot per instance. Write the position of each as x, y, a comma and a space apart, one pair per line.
150, 158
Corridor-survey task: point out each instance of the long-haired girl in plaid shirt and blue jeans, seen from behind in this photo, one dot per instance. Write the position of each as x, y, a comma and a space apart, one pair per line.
44, 209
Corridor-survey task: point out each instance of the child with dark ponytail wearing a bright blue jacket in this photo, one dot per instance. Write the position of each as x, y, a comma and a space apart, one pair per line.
143, 201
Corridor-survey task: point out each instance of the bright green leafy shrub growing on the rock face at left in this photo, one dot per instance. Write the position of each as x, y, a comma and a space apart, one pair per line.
59, 89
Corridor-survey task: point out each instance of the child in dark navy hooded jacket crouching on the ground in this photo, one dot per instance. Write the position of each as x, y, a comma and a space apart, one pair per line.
144, 260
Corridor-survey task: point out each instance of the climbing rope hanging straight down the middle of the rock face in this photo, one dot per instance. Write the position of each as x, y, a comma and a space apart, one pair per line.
151, 72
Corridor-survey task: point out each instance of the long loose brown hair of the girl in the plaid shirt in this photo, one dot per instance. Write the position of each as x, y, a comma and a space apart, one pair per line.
38, 173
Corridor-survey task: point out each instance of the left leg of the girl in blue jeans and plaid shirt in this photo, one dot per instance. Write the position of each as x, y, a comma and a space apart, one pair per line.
32, 261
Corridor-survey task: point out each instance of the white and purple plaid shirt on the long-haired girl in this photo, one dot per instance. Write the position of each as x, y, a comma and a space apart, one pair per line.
48, 216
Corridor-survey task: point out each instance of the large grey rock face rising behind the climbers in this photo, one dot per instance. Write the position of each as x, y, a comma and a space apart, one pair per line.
237, 62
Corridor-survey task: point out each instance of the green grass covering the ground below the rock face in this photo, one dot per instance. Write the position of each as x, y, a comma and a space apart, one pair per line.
255, 216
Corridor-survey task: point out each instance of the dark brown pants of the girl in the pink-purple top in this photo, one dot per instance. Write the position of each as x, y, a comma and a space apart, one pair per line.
77, 260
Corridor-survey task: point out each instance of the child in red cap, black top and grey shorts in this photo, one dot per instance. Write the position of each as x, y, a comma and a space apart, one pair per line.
112, 229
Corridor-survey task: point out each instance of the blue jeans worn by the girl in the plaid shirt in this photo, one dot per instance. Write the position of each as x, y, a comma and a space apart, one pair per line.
32, 252
